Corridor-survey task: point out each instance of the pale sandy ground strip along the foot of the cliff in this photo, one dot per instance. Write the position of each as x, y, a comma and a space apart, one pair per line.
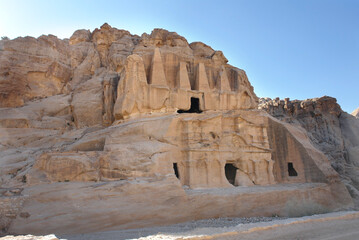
340, 225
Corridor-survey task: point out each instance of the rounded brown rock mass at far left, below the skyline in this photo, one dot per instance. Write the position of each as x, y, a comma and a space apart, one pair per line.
33, 68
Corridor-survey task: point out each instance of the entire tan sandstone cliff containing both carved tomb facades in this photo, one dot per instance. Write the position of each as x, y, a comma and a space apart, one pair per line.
109, 130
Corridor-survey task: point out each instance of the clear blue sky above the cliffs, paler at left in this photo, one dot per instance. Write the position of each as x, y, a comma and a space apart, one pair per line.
289, 48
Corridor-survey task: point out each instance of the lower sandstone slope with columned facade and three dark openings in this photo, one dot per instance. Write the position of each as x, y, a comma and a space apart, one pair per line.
134, 174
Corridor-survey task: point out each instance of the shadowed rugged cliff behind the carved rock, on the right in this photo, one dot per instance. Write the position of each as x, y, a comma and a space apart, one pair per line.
331, 130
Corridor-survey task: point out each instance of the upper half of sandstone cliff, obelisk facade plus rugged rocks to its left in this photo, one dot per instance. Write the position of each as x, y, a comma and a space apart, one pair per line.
89, 62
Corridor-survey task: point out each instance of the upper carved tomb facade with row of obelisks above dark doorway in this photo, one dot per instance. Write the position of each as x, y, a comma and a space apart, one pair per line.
159, 78
